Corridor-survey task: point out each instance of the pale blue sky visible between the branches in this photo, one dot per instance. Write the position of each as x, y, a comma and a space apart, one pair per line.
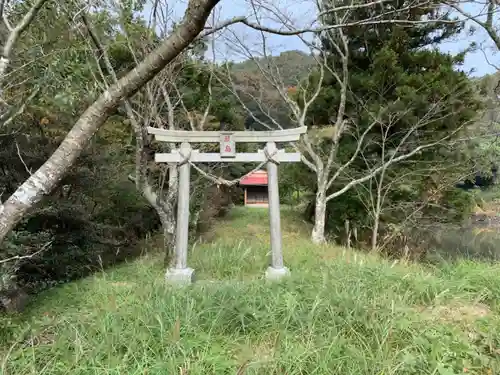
301, 13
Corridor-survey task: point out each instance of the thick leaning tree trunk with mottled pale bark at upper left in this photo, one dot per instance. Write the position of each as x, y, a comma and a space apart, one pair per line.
46, 178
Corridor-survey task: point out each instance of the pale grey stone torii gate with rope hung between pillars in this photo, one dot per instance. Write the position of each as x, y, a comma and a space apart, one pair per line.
271, 155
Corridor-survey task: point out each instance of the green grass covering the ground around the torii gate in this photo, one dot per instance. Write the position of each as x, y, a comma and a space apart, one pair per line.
340, 312
